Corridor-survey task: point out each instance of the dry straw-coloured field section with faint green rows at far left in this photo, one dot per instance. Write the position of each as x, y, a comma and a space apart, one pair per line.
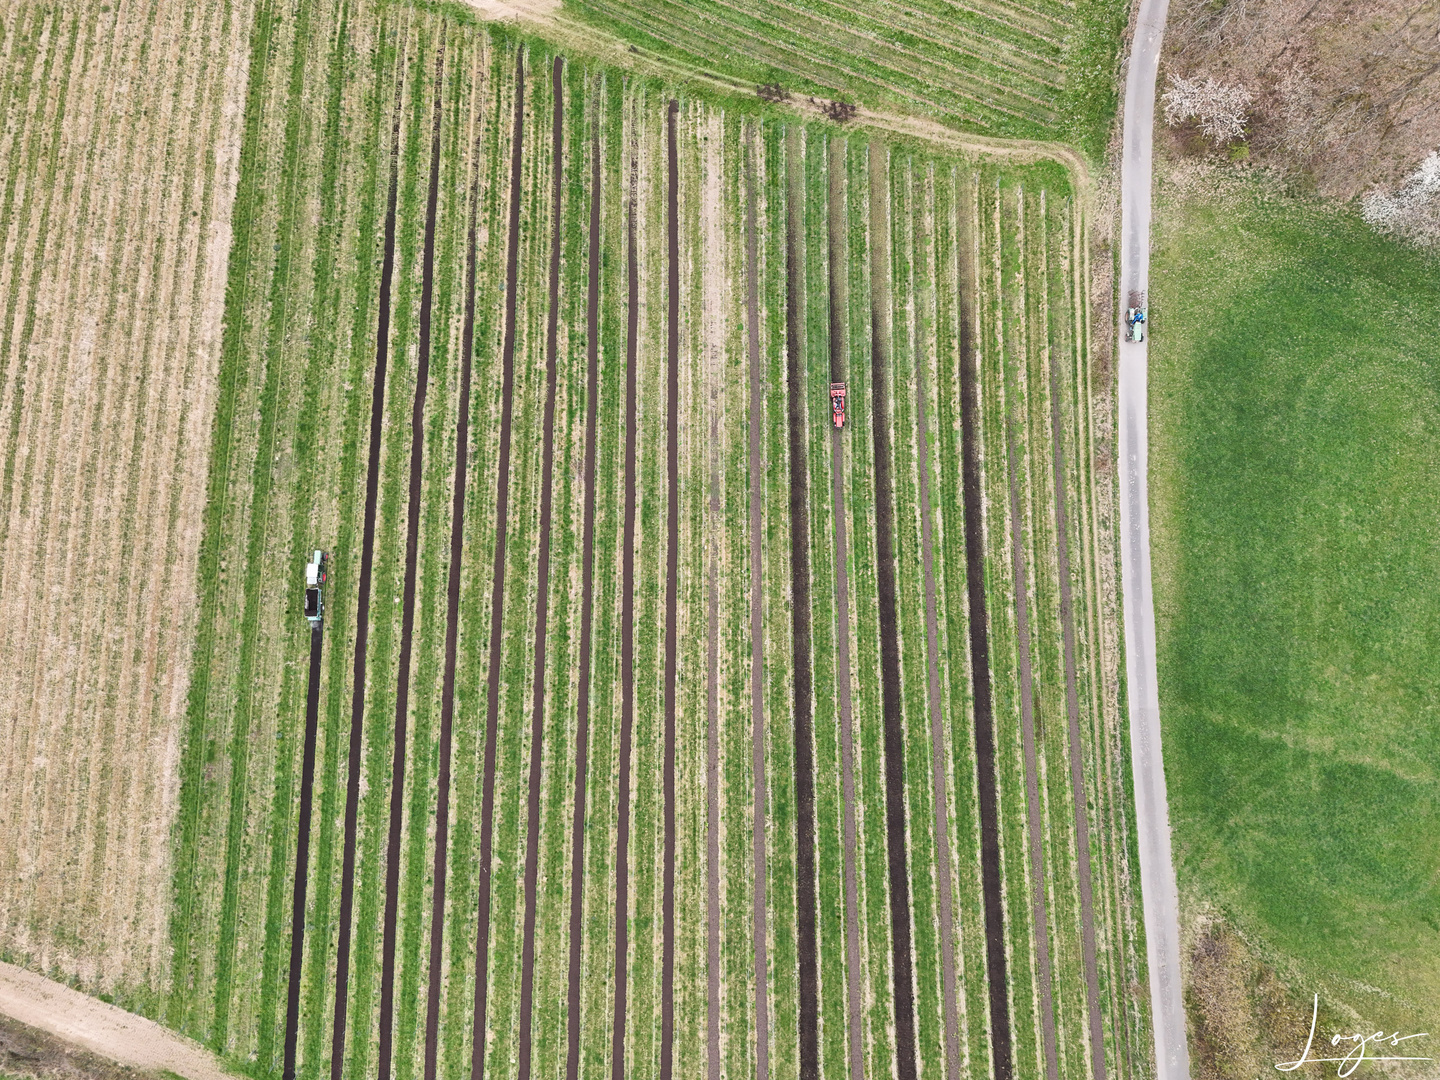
117, 181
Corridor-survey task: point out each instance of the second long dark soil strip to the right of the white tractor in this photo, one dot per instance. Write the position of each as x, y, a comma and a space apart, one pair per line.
413, 544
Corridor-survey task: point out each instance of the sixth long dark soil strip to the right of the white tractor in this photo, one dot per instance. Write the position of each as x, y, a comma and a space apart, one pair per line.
582, 724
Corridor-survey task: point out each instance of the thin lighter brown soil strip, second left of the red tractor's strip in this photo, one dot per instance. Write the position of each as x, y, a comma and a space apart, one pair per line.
752, 322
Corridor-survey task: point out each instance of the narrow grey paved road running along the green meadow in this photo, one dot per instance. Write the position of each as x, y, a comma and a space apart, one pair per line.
1151, 806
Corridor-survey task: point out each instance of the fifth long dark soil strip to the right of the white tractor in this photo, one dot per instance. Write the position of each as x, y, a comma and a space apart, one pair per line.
528, 948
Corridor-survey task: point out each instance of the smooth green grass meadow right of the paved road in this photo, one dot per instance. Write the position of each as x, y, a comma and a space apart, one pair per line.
1295, 469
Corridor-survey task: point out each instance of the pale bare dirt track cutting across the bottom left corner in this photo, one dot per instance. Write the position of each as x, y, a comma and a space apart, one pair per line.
103, 1029
